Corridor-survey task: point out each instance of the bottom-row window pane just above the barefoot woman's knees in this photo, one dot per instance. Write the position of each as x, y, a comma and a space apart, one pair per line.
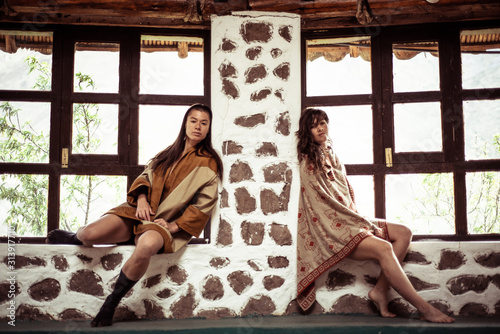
424, 202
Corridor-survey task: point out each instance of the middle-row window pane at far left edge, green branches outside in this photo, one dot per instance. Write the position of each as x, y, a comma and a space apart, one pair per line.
24, 132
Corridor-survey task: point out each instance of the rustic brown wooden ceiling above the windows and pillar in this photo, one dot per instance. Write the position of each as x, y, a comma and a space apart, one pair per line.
195, 14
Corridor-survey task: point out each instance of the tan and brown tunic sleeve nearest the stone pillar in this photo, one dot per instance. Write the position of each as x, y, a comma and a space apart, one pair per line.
196, 215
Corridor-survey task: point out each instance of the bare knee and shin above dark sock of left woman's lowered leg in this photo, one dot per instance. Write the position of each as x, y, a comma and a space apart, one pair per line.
148, 244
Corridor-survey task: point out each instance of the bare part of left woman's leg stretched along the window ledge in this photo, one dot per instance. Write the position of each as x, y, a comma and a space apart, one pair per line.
109, 229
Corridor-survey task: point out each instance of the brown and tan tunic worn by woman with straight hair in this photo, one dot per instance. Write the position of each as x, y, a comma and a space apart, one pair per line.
185, 194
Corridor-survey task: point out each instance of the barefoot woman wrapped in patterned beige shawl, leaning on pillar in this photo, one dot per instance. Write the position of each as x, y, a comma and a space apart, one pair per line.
330, 228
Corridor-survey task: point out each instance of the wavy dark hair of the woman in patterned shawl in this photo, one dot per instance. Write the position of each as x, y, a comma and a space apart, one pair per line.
306, 145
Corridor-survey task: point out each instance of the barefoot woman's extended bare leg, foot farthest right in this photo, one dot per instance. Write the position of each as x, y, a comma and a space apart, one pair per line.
373, 248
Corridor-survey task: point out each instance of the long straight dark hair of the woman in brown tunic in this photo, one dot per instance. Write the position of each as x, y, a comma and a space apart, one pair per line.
168, 156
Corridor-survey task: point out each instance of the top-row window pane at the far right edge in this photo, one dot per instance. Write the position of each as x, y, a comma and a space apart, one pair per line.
480, 58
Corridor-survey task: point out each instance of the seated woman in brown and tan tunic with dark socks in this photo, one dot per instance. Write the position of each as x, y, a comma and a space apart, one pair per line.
169, 203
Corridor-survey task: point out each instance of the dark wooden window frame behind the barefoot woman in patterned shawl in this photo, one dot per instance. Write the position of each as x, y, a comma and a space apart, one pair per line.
450, 95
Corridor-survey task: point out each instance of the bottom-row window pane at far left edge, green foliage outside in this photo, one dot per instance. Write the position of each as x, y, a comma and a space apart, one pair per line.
23, 204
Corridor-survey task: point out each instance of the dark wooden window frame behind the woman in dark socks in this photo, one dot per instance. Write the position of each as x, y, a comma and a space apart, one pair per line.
128, 98
